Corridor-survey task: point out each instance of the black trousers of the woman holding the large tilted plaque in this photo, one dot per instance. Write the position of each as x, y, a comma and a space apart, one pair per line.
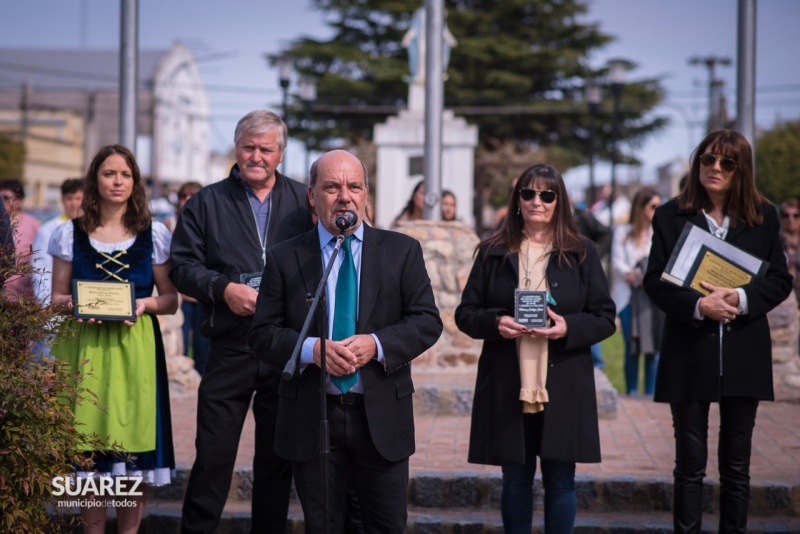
690, 421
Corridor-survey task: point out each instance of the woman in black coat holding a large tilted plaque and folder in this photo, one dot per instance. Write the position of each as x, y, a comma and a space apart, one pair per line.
717, 347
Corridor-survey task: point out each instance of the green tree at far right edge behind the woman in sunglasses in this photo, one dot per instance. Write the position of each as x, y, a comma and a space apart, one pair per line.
777, 154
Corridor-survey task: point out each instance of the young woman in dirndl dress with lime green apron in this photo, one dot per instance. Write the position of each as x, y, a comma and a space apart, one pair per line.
122, 363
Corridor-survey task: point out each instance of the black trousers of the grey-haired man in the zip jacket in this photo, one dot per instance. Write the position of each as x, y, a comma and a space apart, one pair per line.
232, 380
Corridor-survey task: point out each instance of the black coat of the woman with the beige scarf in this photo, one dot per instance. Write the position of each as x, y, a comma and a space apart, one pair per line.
570, 430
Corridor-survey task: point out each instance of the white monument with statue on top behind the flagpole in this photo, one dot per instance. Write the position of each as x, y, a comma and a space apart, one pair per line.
400, 141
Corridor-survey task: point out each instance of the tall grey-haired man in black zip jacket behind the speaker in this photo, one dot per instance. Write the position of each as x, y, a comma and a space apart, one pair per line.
218, 254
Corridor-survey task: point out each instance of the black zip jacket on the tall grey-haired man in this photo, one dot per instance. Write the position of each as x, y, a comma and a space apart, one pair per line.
216, 240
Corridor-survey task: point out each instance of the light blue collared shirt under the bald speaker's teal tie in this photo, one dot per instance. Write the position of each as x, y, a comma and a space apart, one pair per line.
326, 245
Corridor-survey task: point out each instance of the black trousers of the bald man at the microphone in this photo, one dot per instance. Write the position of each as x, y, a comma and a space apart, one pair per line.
354, 464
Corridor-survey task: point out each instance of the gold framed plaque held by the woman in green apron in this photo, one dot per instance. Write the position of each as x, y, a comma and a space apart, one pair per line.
104, 300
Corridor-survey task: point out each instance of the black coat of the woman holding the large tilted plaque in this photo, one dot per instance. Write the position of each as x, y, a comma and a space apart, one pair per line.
689, 365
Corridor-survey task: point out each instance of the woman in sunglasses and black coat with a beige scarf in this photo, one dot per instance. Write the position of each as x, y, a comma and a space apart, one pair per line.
535, 392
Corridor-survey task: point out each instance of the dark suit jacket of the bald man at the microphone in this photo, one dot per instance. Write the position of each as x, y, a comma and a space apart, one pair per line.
395, 303
